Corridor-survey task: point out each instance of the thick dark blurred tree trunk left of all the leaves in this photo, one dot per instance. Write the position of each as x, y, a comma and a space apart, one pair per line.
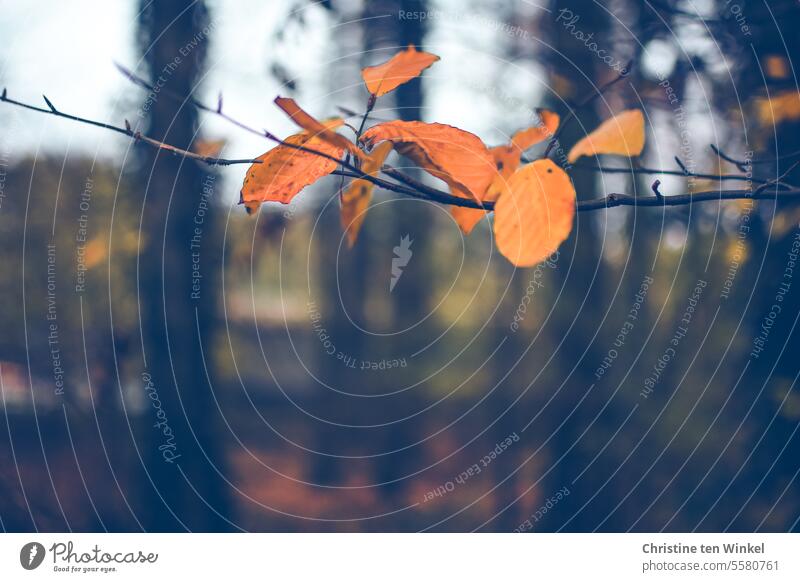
178, 326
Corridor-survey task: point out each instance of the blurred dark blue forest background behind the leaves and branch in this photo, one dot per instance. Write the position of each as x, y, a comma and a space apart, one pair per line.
292, 390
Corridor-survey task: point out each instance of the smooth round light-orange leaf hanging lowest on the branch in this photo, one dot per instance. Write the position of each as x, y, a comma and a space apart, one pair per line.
534, 216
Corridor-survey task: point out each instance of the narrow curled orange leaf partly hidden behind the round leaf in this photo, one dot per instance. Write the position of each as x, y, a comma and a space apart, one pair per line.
506, 160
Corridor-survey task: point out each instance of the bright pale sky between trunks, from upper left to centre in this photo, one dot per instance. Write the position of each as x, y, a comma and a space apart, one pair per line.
67, 51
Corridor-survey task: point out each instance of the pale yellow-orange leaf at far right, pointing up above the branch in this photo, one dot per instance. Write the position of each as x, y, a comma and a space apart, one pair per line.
622, 135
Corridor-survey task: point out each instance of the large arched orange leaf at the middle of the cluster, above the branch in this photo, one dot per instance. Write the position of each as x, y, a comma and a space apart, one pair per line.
453, 155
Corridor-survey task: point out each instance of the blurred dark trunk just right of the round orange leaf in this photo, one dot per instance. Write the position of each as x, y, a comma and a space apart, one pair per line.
580, 303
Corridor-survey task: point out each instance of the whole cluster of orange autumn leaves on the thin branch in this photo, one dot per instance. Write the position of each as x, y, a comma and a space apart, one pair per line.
534, 203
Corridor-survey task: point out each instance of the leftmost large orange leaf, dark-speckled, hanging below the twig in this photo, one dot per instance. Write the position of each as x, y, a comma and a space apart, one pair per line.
285, 170
